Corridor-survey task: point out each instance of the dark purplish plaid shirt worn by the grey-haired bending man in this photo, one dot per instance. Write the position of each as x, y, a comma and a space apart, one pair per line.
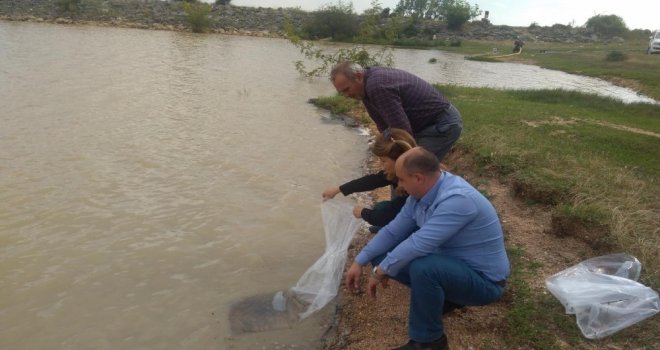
398, 99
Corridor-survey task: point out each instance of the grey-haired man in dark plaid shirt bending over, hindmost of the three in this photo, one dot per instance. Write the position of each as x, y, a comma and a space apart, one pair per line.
397, 99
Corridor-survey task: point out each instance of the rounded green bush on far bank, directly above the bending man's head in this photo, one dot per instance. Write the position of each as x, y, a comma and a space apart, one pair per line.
337, 21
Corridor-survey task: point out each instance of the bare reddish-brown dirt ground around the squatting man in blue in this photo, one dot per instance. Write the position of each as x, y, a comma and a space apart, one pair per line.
364, 323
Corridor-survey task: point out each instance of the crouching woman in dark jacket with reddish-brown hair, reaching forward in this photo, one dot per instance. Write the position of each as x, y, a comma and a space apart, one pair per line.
388, 146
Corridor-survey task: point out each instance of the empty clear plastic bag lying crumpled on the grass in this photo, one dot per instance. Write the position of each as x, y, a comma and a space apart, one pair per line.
604, 295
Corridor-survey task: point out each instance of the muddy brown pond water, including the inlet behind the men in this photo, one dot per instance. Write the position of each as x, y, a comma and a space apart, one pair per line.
149, 180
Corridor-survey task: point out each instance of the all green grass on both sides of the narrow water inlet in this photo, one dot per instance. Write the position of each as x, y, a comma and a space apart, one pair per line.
595, 160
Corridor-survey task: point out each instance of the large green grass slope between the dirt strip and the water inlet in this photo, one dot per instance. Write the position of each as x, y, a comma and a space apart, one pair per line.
586, 154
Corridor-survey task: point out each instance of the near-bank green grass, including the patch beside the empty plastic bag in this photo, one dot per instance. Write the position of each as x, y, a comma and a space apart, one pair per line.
593, 159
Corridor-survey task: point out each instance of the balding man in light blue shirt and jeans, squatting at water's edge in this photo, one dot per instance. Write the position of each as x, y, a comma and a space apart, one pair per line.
456, 257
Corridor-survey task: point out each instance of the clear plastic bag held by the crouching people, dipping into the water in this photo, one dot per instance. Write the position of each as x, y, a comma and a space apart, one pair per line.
320, 283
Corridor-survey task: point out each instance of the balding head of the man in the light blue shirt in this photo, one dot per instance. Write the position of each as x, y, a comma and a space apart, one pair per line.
417, 170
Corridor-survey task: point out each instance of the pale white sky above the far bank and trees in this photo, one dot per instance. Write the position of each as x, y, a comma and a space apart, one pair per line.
637, 14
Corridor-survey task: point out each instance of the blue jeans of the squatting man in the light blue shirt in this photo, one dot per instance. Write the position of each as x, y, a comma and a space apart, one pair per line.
436, 283
